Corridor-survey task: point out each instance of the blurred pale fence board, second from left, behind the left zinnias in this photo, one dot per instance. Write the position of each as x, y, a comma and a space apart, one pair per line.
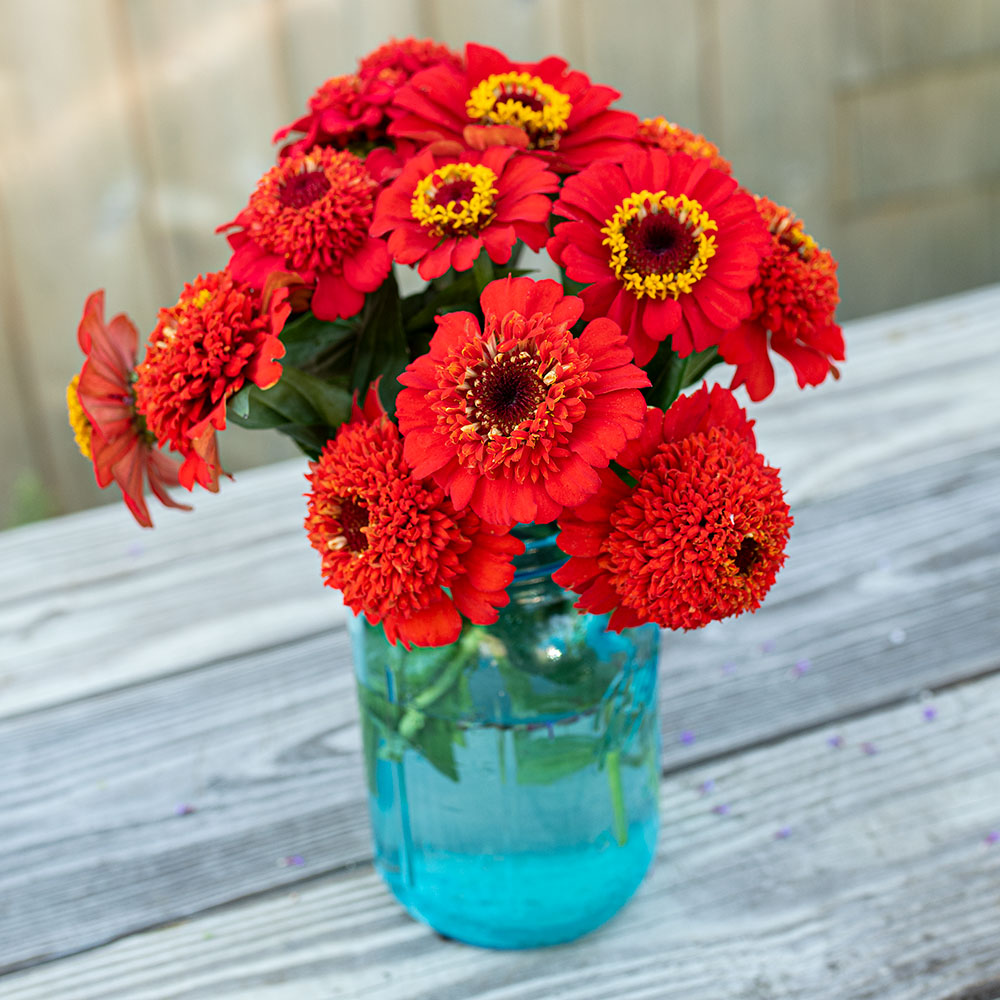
201, 165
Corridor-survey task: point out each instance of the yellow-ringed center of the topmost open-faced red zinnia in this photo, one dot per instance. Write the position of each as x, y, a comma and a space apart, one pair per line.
522, 100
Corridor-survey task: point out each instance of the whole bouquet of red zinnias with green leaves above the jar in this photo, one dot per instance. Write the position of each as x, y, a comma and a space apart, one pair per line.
441, 420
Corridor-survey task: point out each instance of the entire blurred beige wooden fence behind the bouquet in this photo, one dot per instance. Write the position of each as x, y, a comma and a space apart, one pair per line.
131, 128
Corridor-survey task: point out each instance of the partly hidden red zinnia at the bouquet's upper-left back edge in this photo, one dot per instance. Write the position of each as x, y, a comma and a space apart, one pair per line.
356, 107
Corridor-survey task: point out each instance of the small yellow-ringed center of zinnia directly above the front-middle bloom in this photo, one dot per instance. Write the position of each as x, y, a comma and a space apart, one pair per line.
455, 199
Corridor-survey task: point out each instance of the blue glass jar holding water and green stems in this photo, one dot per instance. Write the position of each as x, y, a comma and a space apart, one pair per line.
513, 776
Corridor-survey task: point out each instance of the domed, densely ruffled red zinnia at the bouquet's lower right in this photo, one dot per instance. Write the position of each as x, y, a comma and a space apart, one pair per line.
700, 536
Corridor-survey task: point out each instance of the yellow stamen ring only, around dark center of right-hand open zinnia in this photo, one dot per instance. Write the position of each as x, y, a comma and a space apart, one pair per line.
685, 210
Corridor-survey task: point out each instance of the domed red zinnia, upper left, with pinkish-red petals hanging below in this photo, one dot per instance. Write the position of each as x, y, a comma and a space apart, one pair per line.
311, 214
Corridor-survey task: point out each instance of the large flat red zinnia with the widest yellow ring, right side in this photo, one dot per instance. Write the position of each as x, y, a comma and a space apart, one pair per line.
669, 244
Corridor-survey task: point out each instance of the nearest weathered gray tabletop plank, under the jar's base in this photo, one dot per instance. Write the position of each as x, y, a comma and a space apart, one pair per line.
835, 873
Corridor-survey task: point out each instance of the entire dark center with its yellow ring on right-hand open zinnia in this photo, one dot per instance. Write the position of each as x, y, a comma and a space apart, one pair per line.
660, 244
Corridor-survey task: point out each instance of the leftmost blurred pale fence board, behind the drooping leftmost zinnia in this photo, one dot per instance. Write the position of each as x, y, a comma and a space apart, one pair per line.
70, 204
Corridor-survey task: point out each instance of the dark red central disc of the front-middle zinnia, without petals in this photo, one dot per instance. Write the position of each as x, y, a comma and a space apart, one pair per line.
504, 392
